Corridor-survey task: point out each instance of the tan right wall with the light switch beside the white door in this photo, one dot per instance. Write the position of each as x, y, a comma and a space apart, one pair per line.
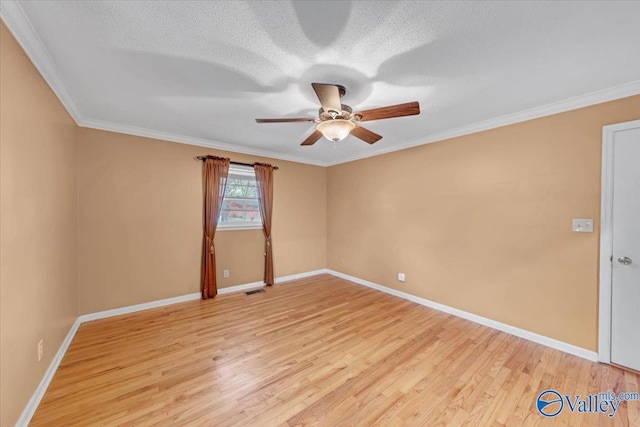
482, 222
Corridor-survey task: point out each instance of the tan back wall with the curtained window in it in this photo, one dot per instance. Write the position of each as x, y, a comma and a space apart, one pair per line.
141, 221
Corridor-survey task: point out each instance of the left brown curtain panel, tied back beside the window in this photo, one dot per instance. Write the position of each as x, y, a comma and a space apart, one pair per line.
216, 170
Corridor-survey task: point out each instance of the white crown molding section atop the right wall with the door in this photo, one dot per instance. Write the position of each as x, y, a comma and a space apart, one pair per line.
616, 92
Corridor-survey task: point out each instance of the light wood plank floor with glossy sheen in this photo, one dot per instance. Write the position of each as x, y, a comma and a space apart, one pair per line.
318, 351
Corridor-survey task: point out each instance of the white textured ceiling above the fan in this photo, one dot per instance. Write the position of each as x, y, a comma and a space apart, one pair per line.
202, 71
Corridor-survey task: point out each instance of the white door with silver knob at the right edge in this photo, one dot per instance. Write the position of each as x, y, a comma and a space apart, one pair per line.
625, 268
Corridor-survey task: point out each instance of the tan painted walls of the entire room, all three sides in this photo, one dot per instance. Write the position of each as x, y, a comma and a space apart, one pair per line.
480, 222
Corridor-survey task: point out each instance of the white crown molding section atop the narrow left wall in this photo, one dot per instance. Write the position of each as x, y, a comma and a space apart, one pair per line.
18, 23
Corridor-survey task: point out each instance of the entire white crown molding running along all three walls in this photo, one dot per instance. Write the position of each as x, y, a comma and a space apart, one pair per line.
17, 21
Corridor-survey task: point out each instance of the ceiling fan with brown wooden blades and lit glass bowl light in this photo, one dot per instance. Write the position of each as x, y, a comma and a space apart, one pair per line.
336, 121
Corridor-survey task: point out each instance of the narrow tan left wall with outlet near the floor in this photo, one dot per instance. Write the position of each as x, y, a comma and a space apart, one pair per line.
38, 223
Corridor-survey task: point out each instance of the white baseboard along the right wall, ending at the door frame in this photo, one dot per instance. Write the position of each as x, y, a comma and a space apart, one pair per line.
531, 336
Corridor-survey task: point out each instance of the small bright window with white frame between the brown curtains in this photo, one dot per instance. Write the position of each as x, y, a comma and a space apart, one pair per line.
240, 206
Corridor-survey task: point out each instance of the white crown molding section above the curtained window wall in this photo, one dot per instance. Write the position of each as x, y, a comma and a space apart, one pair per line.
189, 140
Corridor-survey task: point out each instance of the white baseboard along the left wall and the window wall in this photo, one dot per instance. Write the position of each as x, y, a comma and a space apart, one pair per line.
37, 396
